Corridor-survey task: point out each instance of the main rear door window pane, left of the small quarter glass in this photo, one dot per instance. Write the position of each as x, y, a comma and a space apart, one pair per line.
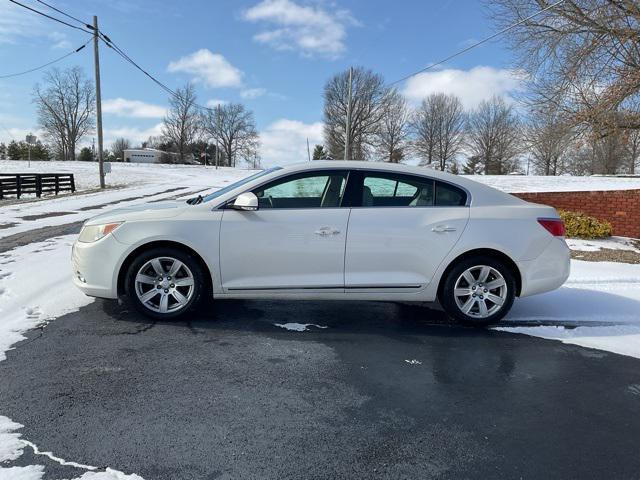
391, 190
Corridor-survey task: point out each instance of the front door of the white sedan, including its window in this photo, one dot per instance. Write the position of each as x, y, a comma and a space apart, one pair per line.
295, 240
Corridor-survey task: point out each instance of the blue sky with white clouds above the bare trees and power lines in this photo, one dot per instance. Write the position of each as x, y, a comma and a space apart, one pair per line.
273, 55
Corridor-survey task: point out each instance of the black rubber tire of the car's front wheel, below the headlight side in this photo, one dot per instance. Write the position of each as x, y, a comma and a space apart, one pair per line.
174, 308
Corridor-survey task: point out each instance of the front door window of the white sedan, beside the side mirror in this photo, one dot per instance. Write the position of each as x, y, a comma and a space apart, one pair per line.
309, 190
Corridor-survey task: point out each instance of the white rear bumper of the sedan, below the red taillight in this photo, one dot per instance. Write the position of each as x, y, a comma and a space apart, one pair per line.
548, 271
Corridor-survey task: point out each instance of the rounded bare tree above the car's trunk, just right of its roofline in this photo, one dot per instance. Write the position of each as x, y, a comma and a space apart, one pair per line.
494, 136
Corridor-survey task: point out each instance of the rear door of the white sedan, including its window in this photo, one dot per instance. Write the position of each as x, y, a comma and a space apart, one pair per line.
400, 230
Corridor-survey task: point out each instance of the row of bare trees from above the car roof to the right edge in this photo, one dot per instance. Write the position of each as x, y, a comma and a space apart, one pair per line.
497, 137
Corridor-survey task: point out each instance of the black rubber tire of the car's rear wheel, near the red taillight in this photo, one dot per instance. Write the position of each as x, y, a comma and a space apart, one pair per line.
474, 317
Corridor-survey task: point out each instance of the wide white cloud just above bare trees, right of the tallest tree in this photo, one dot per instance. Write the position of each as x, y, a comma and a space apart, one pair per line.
472, 86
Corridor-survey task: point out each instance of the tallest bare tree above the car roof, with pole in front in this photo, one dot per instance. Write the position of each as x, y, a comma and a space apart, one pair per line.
369, 97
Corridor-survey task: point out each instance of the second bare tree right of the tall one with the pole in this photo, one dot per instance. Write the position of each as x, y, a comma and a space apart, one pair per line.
438, 125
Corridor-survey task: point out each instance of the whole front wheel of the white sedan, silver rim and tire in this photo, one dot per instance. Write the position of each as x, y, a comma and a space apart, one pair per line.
165, 282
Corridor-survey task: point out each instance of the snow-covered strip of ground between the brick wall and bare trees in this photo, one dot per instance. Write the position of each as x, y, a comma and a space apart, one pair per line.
531, 183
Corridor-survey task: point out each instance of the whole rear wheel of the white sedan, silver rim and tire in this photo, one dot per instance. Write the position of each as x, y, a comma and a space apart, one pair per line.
478, 291
